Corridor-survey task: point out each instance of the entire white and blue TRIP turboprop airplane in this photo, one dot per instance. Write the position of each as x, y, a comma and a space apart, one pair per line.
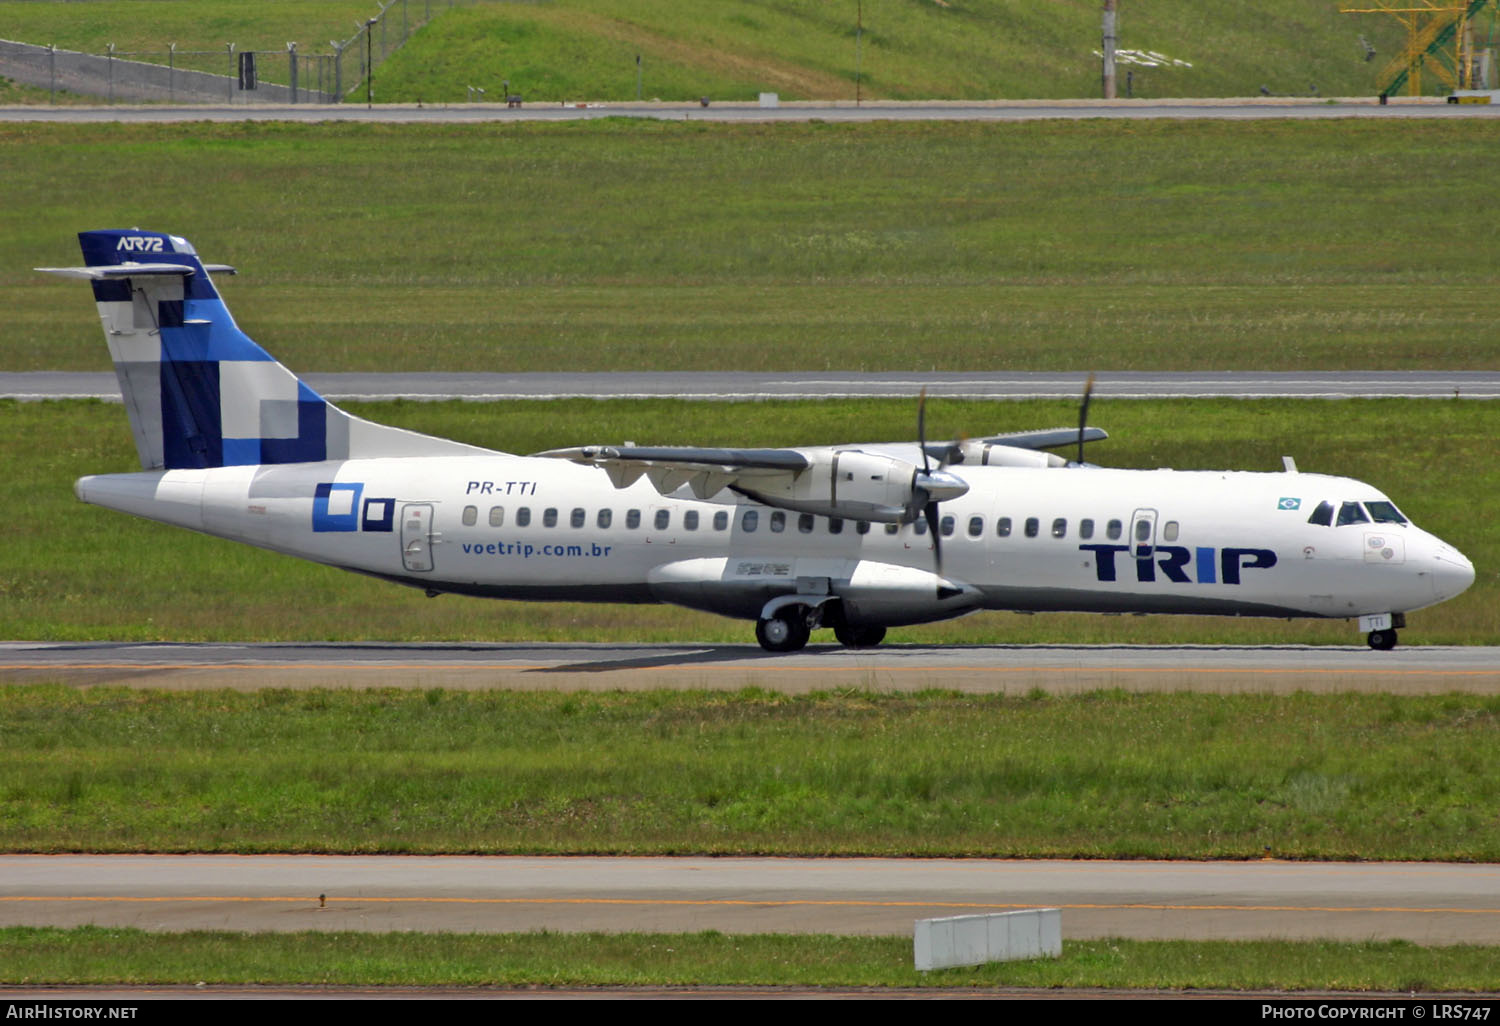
850, 538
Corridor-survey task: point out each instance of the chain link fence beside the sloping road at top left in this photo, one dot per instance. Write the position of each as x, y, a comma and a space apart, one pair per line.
227, 76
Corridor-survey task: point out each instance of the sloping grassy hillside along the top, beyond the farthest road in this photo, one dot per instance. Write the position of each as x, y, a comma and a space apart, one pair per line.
586, 50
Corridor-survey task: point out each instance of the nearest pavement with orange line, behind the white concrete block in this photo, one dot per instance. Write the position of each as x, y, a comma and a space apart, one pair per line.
1420, 902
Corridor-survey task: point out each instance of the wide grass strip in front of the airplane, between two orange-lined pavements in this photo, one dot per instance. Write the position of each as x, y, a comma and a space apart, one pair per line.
1097, 776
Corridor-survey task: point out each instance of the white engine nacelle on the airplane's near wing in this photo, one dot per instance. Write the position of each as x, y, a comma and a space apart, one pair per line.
848, 484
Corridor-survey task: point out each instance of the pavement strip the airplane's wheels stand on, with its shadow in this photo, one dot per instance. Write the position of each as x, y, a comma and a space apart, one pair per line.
1013, 670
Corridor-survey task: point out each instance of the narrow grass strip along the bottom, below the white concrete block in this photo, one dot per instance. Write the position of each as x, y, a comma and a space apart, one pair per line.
103, 956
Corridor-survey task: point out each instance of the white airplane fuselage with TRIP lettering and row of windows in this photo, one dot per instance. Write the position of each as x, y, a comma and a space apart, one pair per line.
1048, 539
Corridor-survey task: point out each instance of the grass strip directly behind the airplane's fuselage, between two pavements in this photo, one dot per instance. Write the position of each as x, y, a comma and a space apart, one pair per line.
77, 572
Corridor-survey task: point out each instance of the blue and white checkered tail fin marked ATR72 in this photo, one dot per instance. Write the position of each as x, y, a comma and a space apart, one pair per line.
199, 391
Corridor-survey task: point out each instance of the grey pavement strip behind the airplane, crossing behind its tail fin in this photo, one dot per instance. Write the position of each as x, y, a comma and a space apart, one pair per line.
746, 386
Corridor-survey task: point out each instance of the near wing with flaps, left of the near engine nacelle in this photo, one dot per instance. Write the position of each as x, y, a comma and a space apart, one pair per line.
706, 472
